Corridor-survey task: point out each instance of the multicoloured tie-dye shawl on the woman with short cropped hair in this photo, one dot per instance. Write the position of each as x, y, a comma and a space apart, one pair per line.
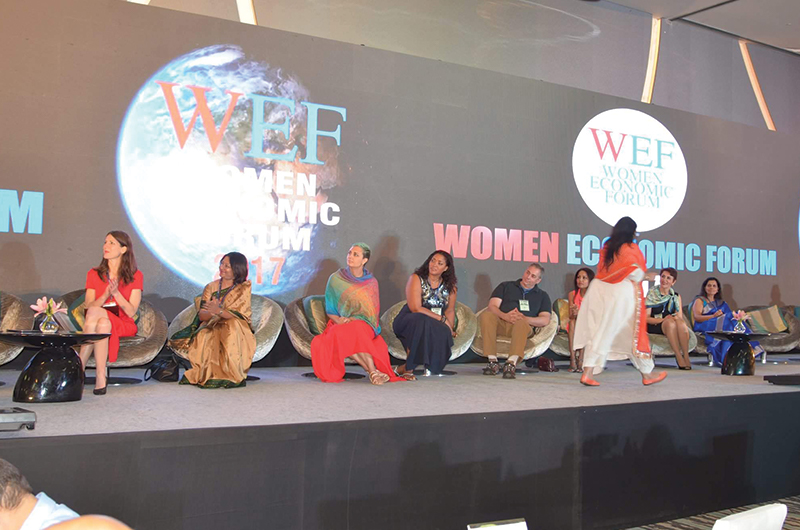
350, 297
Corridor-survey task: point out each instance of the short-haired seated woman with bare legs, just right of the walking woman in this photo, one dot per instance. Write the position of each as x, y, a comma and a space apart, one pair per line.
664, 316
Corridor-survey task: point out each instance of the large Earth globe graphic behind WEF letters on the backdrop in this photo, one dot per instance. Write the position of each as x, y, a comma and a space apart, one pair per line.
192, 203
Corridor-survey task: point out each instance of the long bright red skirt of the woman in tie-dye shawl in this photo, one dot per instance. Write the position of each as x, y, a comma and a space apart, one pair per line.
339, 341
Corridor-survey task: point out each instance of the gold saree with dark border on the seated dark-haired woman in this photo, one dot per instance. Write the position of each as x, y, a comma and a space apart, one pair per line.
219, 349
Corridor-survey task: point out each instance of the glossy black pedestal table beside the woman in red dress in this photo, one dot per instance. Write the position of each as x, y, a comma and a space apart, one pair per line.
55, 373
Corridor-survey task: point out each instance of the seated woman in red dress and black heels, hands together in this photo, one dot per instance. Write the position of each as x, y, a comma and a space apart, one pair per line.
113, 294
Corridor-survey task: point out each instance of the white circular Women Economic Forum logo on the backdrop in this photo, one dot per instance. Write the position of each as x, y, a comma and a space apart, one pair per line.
626, 163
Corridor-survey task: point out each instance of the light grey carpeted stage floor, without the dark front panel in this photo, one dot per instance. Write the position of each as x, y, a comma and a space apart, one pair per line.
283, 396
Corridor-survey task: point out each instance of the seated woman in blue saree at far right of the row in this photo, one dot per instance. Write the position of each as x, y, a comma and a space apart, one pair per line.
711, 313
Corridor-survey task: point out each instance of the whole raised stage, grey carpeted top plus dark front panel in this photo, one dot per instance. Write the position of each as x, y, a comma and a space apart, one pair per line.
291, 452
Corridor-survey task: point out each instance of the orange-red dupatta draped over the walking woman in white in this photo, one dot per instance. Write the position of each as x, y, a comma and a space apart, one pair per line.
627, 260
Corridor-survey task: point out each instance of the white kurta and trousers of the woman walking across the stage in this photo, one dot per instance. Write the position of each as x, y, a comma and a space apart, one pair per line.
605, 324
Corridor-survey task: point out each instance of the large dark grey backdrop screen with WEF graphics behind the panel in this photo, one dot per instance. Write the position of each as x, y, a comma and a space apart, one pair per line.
88, 131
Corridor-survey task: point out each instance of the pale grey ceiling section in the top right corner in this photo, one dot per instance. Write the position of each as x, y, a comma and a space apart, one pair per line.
772, 22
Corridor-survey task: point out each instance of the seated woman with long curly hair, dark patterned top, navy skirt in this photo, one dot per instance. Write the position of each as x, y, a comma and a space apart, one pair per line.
426, 323
